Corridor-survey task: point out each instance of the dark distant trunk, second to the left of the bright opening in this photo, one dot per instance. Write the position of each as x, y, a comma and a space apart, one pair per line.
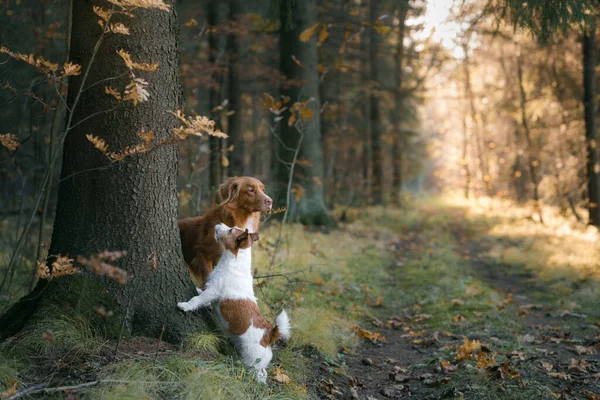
374, 112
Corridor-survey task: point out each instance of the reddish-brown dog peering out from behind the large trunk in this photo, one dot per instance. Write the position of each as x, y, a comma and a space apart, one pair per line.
242, 201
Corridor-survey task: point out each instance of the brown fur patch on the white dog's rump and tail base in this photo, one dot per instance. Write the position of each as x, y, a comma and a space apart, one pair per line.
240, 314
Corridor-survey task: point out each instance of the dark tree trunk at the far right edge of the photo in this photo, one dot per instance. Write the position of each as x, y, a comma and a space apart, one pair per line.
591, 136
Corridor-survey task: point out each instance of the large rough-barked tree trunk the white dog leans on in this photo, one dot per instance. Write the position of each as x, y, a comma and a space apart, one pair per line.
129, 205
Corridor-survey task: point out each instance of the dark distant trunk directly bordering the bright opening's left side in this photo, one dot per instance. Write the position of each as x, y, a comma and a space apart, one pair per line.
399, 141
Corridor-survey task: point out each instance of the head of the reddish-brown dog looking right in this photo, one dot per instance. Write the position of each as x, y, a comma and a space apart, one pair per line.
246, 193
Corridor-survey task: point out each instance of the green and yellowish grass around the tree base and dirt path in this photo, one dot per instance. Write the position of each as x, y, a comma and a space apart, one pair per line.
387, 262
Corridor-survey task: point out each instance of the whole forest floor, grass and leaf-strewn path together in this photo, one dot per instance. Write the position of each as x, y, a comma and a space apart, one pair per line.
440, 299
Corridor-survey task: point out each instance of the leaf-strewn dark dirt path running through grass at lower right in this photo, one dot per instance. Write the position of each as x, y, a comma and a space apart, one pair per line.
521, 346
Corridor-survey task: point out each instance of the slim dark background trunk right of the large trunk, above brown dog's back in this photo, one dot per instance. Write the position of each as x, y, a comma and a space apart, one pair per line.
215, 172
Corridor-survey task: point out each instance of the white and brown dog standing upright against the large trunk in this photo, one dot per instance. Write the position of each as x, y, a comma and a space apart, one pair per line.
230, 283
